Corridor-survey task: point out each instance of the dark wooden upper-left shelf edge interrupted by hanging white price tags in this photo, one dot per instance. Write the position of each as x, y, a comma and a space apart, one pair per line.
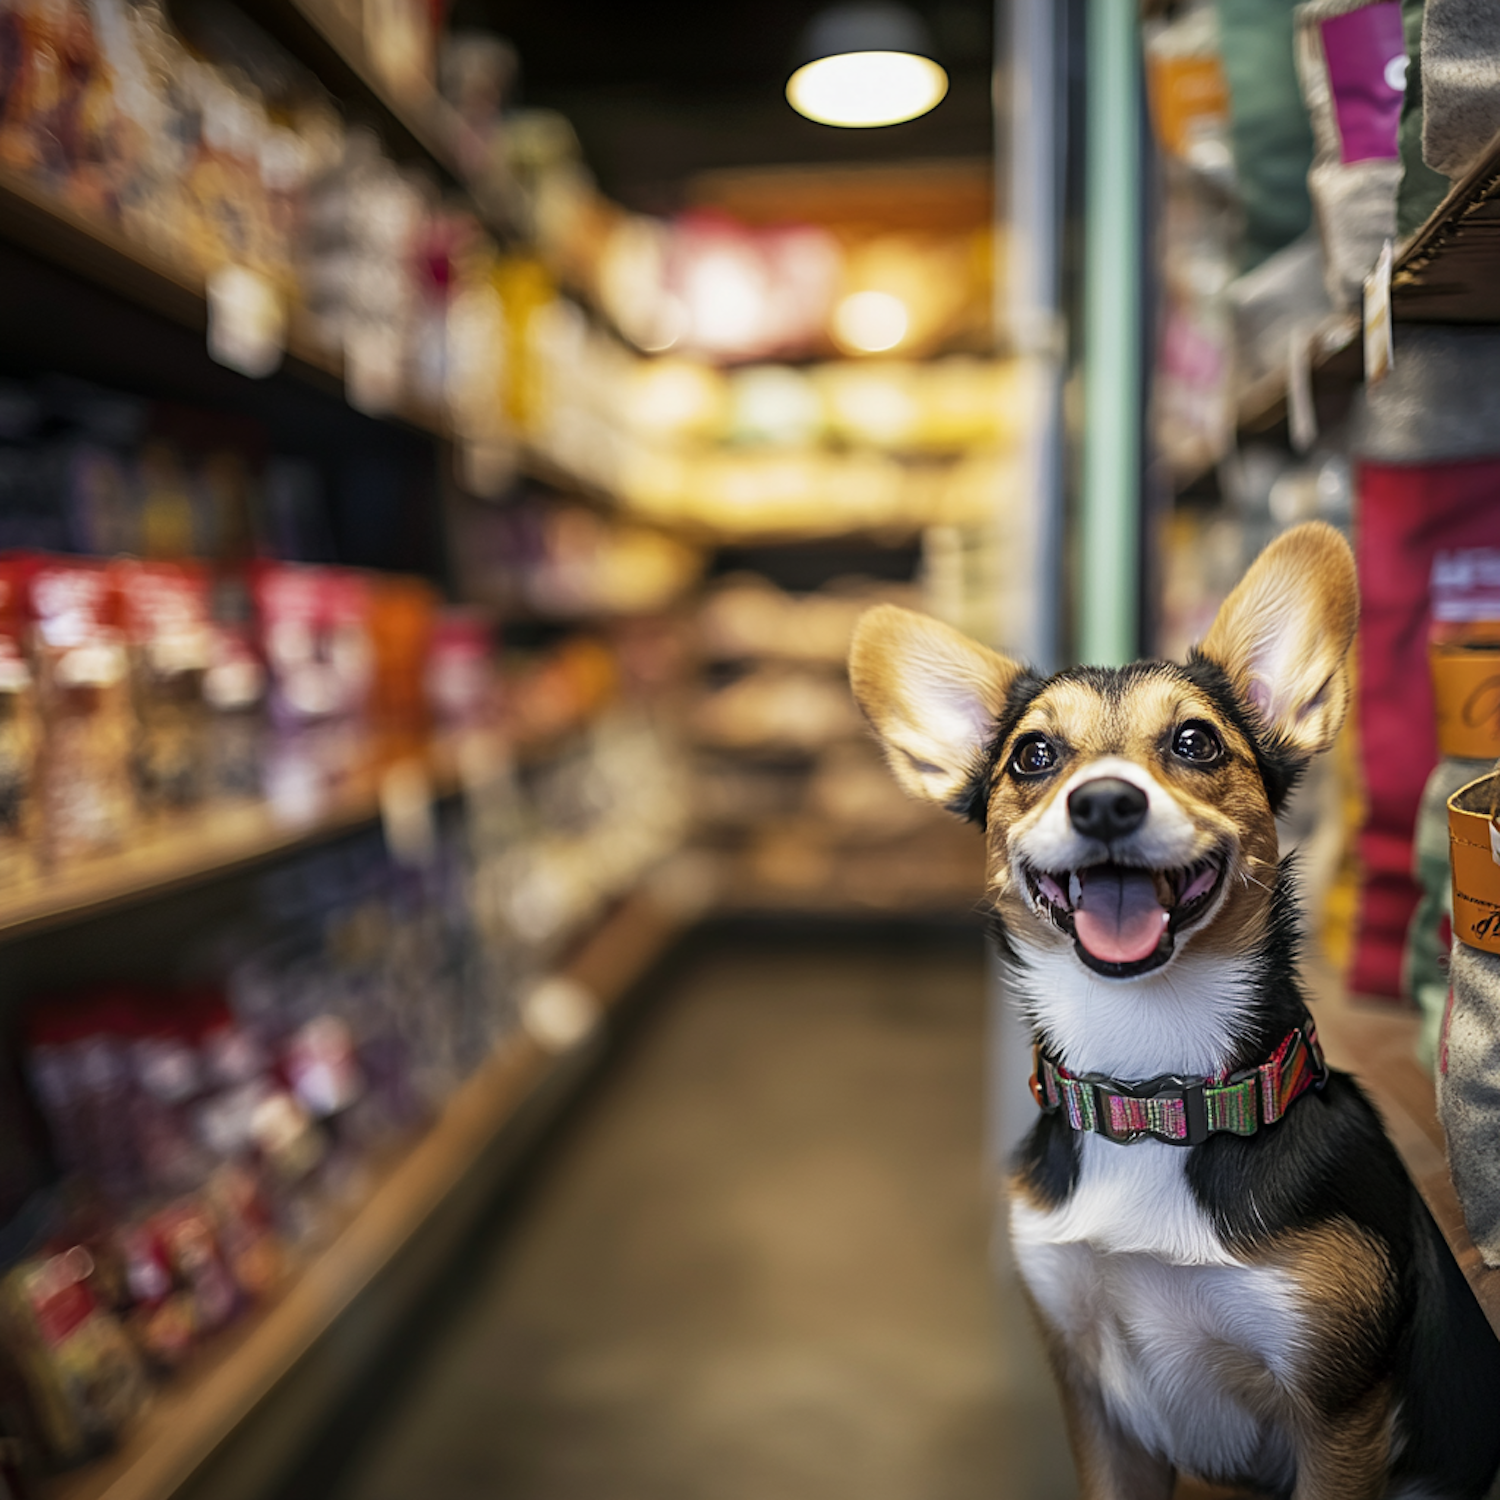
38, 221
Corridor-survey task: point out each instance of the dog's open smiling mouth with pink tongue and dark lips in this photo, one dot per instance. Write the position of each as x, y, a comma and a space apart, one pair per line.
1123, 920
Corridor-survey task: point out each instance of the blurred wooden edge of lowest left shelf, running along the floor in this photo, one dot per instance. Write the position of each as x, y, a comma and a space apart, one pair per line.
223, 1385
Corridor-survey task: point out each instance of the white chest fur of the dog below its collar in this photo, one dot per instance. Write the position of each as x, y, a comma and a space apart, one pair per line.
1145, 1295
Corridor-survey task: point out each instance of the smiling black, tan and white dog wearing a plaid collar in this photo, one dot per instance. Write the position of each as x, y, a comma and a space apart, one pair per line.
1234, 1274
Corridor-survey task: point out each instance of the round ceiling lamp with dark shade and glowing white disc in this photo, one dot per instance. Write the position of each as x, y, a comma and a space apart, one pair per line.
866, 65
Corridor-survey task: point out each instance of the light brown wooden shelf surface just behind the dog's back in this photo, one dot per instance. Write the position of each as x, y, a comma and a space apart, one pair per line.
1376, 1042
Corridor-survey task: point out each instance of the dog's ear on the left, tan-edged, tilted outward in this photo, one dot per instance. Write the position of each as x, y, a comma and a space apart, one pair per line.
932, 695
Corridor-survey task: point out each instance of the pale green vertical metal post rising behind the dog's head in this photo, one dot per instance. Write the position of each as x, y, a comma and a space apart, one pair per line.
1109, 511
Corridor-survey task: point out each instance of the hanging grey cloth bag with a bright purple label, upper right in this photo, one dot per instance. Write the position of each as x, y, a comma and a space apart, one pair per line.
1352, 67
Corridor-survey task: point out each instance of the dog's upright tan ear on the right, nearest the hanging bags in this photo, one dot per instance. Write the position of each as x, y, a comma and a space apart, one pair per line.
1283, 637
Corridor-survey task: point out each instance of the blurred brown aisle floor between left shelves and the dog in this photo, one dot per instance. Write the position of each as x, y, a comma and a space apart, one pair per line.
757, 1265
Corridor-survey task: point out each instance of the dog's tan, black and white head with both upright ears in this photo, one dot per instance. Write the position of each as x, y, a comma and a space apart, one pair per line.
1129, 811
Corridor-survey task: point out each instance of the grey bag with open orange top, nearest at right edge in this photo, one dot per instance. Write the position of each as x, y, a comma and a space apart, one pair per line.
1469, 1055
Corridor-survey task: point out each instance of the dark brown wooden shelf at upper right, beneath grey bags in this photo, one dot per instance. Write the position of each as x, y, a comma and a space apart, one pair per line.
1450, 271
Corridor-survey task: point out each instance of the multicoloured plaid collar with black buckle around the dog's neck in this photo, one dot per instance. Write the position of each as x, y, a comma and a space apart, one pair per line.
1180, 1111
